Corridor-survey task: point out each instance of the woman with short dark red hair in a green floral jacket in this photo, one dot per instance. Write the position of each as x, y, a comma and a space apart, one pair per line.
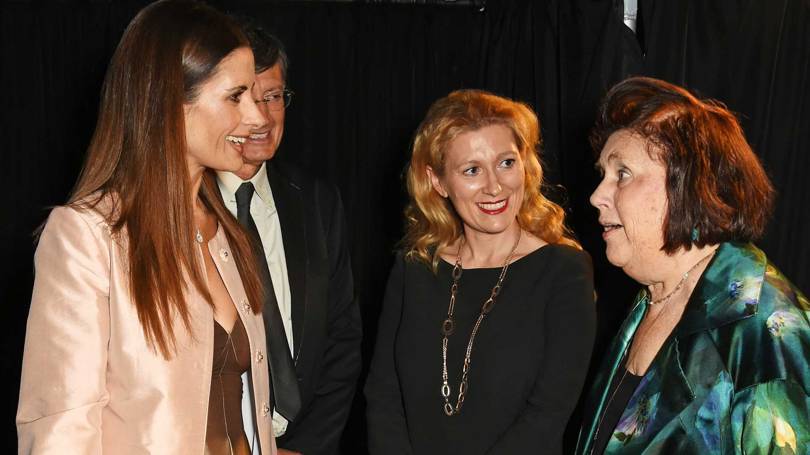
713, 356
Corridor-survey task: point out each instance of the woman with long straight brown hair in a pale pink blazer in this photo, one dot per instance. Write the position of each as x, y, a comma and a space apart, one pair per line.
145, 310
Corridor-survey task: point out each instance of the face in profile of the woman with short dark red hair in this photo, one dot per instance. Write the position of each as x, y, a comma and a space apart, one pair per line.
632, 204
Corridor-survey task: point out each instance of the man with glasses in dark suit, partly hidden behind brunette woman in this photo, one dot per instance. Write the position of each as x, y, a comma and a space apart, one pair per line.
311, 318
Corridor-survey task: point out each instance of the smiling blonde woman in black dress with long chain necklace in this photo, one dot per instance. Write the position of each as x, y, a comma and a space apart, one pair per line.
488, 320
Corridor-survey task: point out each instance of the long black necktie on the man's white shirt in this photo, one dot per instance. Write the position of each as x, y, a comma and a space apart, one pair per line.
284, 387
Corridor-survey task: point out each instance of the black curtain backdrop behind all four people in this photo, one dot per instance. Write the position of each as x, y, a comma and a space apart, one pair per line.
364, 76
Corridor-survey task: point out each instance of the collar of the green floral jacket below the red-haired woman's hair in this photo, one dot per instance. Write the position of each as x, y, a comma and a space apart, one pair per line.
727, 292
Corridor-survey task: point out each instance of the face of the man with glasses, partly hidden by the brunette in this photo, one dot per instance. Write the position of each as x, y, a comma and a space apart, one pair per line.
263, 142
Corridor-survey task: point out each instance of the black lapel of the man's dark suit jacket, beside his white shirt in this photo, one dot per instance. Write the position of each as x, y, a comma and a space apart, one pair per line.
289, 204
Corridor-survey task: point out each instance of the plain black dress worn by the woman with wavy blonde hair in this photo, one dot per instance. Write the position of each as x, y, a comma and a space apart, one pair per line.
528, 362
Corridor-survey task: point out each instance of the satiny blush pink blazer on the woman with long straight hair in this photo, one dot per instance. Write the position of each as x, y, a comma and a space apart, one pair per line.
90, 383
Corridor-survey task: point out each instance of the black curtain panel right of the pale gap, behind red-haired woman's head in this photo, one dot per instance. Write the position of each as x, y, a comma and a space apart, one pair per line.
755, 57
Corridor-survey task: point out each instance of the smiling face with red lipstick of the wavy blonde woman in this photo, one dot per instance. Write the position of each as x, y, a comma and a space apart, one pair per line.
483, 177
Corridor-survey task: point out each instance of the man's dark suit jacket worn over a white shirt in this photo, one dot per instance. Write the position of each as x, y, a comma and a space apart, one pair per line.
325, 317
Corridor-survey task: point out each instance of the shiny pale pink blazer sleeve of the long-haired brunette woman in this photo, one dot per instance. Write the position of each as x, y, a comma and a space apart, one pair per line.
62, 390
